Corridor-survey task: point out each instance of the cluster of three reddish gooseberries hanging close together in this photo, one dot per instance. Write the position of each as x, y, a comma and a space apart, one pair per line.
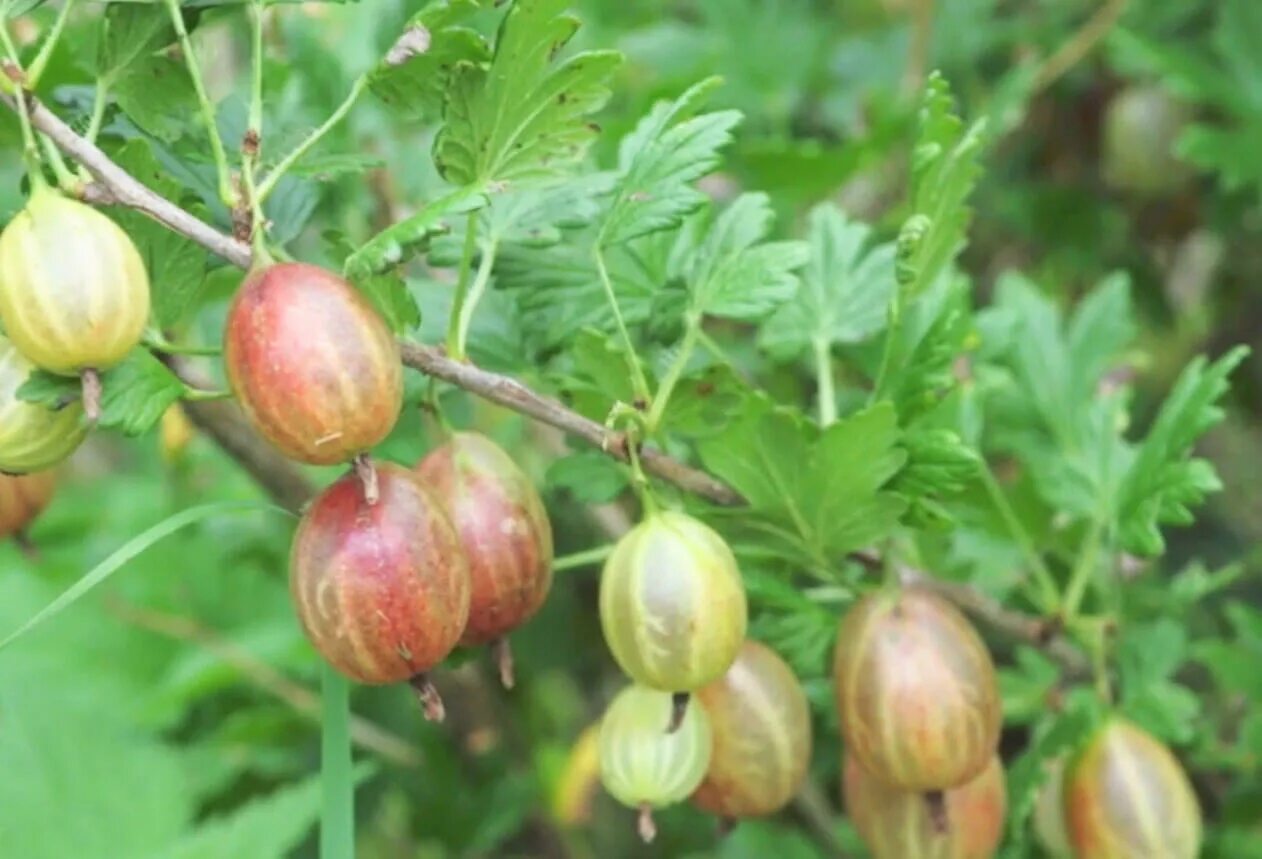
392, 568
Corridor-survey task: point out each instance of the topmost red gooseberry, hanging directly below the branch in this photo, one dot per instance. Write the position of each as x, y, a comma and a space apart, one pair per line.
312, 364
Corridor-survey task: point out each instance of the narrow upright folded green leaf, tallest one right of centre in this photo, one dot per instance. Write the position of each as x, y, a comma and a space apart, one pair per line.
945, 168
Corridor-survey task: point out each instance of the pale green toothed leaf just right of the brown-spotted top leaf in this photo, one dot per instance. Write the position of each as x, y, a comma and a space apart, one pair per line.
658, 163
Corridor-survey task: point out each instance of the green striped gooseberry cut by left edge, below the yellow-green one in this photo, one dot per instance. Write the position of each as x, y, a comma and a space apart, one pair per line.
32, 438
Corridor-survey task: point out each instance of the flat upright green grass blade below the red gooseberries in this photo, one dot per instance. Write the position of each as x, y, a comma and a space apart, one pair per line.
338, 789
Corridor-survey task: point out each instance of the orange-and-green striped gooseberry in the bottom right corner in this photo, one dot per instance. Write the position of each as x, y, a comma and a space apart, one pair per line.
1126, 798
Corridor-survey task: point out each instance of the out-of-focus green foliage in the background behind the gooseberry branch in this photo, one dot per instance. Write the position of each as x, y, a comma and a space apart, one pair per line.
175, 713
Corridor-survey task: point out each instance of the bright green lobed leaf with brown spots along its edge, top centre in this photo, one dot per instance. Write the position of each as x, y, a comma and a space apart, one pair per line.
523, 118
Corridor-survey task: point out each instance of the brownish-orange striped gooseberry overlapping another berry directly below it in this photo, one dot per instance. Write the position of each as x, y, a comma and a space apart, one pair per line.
917, 692
